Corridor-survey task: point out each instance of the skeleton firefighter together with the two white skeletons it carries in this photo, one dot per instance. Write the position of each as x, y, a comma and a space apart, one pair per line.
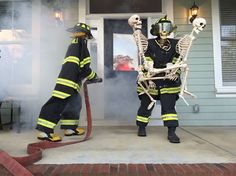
159, 76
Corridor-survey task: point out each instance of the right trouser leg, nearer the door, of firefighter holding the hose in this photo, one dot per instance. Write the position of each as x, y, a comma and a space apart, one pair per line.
71, 113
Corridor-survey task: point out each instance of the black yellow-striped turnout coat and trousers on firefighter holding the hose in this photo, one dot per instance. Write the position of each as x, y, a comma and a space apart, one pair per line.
75, 68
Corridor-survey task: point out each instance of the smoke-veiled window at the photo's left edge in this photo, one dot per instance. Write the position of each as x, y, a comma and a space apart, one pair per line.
15, 46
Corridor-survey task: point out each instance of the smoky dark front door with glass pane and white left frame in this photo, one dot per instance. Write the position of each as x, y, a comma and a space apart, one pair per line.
115, 100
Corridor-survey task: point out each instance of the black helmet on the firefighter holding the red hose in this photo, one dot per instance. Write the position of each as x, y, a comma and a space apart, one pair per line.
83, 28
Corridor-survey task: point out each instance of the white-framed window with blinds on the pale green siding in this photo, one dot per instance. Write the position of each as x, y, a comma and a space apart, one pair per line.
224, 40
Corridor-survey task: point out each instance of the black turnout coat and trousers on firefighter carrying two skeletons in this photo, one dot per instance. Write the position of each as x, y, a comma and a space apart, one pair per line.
166, 90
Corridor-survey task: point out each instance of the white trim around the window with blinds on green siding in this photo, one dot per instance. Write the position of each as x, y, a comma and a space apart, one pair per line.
221, 90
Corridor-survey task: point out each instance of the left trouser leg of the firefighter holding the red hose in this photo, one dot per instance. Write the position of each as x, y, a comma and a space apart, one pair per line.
50, 114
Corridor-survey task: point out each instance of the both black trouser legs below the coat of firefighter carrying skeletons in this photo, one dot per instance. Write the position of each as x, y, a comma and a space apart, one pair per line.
168, 112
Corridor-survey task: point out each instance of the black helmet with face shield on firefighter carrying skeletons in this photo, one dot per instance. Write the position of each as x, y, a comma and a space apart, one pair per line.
163, 25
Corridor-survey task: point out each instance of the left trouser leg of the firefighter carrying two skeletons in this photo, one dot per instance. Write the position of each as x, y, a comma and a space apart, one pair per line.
144, 113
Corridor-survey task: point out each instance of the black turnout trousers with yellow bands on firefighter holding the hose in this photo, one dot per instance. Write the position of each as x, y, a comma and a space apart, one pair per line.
67, 111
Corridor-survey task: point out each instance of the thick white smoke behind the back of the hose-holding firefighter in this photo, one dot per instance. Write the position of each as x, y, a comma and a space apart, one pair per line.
28, 71
